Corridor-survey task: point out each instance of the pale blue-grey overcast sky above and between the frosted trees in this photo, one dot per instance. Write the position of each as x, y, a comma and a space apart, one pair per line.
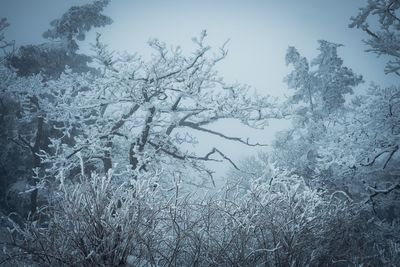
259, 31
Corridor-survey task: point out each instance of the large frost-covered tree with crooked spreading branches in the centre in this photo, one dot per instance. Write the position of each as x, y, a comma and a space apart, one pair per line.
140, 114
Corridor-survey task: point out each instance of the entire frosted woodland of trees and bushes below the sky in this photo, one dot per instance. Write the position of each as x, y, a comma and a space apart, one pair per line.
105, 158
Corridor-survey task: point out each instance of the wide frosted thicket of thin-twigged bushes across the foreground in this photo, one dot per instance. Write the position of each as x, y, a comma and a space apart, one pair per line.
99, 222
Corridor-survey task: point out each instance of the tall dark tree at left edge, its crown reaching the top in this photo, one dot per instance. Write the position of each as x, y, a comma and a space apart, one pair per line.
26, 99
